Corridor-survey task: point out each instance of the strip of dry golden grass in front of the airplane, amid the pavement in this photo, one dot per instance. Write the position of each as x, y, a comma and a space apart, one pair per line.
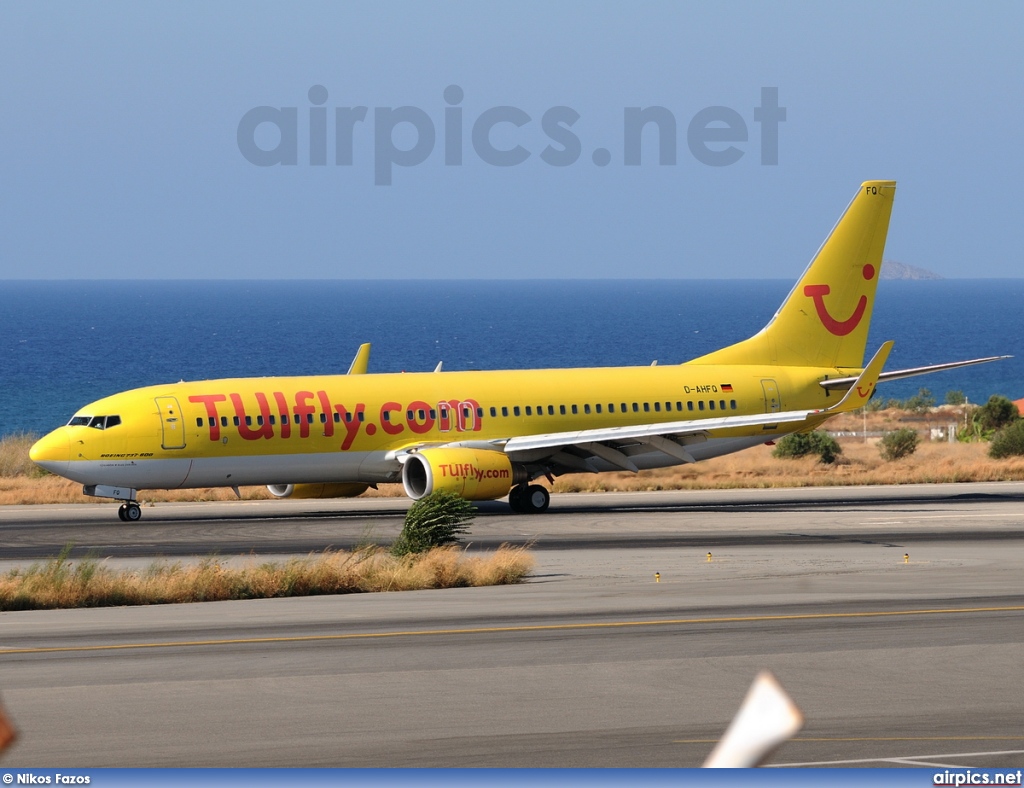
66, 584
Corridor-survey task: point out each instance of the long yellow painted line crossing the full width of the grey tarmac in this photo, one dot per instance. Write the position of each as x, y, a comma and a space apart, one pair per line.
524, 629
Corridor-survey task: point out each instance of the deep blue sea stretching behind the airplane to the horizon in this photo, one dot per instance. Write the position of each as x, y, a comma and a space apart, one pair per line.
64, 344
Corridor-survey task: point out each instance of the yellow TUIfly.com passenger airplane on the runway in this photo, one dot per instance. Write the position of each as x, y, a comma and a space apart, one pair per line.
485, 435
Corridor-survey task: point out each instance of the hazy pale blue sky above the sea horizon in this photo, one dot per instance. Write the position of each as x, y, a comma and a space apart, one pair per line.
120, 125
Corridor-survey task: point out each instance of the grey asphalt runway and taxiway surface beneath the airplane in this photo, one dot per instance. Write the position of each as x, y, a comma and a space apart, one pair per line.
894, 662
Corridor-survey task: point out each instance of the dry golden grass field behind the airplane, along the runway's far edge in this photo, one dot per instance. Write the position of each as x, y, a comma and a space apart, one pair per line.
861, 464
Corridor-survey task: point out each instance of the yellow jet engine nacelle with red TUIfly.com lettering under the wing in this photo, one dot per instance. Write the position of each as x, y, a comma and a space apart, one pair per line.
470, 473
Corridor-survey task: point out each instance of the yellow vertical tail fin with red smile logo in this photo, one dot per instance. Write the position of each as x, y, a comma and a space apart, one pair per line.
825, 320
